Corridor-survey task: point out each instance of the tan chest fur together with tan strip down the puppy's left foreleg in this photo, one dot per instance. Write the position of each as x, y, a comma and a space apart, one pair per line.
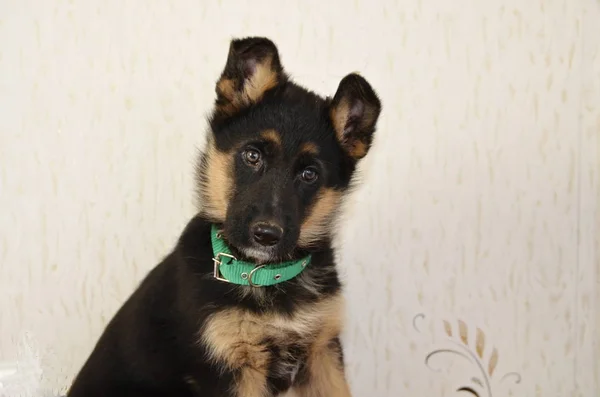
236, 338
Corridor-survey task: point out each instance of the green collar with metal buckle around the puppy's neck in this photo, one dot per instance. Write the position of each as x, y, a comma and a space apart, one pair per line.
229, 269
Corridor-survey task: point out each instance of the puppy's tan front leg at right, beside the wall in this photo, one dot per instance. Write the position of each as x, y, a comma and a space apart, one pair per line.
324, 376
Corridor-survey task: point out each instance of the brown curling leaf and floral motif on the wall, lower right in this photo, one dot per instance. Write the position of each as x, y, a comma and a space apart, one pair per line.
473, 351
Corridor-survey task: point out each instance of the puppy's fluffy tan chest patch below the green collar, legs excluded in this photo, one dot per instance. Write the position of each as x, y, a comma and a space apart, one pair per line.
272, 344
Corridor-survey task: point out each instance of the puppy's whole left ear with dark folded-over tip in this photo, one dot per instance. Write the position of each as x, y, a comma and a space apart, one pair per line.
252, 69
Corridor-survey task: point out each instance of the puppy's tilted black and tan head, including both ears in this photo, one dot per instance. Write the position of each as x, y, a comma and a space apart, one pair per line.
279, 157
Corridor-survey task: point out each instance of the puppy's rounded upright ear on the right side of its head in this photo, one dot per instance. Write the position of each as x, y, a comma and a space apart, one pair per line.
354, 112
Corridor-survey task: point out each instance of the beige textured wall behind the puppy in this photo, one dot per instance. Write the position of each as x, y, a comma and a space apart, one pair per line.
479, 217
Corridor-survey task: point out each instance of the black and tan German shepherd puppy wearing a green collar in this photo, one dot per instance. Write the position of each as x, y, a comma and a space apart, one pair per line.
248, 303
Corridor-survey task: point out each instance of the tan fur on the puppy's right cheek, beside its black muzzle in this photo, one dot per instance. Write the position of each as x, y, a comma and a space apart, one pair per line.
319, 222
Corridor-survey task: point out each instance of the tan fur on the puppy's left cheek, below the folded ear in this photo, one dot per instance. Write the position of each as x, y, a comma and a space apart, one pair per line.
218, 183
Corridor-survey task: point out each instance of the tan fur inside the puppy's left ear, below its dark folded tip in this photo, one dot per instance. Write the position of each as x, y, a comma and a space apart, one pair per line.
252, 90
